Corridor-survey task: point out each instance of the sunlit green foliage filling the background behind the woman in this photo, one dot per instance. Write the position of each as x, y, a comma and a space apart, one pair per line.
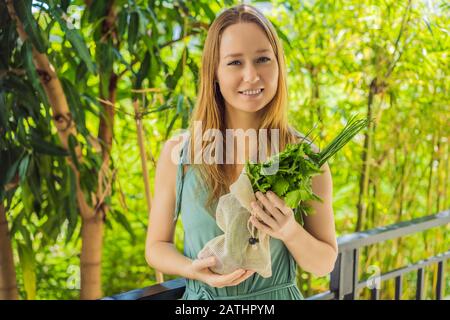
338, 52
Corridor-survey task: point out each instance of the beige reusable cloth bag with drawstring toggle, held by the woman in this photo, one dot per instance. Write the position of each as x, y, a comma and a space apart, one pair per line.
241, 245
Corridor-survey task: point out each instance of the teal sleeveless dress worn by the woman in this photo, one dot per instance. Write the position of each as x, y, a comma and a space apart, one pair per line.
199, 227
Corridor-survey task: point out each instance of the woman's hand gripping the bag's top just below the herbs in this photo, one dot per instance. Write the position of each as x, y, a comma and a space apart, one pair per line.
271, 215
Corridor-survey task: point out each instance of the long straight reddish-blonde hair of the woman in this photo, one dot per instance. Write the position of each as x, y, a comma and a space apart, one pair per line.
210, 107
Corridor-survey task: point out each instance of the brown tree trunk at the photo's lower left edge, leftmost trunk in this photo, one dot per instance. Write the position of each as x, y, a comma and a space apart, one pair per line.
8, 284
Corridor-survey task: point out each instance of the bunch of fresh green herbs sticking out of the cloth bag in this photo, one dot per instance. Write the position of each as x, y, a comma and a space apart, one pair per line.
295, 168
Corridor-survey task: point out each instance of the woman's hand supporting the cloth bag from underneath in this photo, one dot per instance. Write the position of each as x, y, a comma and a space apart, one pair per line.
200, 271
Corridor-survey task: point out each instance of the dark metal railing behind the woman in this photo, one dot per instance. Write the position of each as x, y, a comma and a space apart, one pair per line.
344, 279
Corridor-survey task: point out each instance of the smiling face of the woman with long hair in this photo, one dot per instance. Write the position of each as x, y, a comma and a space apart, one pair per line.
248, 70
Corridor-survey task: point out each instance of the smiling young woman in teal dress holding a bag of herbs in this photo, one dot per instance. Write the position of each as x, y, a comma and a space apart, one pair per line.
242, 86
